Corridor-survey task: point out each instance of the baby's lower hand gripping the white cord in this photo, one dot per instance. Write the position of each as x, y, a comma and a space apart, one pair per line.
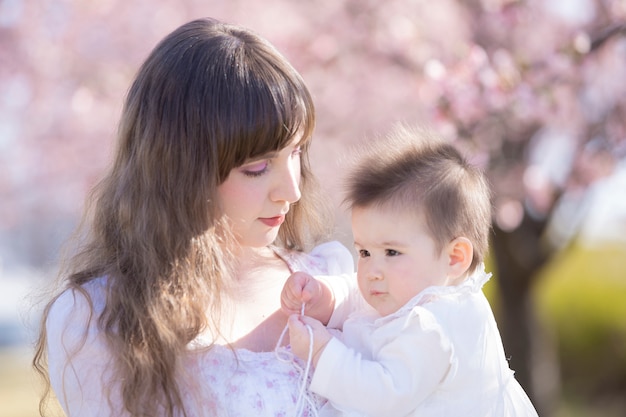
299, 337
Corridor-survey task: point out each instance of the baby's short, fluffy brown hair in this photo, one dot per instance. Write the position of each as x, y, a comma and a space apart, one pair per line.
414, 169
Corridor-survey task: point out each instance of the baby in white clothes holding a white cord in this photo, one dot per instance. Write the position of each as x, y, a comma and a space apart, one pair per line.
420, 339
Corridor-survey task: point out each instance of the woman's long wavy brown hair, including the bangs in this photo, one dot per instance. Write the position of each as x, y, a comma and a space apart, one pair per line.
208, 97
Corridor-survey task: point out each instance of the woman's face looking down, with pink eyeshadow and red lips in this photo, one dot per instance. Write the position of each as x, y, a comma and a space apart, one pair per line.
257, 195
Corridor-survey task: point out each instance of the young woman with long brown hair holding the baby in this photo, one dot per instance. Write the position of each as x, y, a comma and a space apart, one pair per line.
171, 303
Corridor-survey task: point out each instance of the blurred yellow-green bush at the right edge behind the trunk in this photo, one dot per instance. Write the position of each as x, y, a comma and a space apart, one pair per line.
581, 298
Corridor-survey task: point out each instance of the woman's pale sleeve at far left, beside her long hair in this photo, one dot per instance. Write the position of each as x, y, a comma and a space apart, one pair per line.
79, 359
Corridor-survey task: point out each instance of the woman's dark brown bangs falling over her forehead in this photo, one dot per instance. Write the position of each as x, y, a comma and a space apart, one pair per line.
262, 112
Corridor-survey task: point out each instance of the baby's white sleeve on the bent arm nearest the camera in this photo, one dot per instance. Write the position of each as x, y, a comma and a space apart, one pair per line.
402, 373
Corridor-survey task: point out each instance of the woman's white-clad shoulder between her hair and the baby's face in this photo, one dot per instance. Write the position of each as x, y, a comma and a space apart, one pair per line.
329, 258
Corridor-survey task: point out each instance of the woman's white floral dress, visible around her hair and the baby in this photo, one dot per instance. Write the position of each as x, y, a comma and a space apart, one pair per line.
220, 381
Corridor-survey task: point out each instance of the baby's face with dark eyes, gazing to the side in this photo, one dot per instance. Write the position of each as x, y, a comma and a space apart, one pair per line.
397, 257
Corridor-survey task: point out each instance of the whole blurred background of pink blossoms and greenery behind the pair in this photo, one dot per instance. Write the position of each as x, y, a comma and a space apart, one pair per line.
534, 91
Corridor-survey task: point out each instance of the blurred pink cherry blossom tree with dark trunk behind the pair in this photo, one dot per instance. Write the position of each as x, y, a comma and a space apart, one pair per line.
532, 90
